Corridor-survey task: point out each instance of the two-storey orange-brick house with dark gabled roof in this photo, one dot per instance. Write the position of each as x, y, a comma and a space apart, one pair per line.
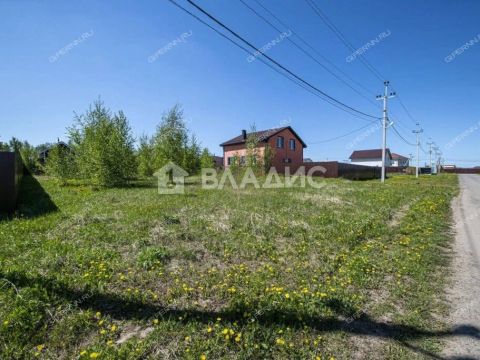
287, 147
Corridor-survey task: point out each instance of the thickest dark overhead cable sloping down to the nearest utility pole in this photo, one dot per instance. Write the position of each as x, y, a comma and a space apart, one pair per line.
340, 103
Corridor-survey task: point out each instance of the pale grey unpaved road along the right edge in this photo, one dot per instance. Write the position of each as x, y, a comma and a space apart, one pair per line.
464, 295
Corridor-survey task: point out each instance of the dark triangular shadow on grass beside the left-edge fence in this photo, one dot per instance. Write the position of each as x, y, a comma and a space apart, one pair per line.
33, 200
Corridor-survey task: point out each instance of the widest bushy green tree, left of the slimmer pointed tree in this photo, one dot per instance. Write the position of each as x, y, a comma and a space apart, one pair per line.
103, 146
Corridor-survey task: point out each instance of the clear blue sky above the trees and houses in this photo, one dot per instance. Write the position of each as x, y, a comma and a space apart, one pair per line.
221, 92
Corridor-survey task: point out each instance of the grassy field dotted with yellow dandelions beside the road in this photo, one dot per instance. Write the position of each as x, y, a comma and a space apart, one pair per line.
354, 269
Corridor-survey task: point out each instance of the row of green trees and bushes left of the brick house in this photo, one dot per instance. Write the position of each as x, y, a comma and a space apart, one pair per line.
101, 149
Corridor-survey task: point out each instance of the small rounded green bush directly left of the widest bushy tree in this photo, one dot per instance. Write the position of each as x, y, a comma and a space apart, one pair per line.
61, 163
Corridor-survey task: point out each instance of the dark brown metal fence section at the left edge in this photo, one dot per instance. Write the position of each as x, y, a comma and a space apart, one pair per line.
10, 176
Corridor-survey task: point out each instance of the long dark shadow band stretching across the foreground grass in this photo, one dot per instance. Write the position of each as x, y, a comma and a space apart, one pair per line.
125, 309
